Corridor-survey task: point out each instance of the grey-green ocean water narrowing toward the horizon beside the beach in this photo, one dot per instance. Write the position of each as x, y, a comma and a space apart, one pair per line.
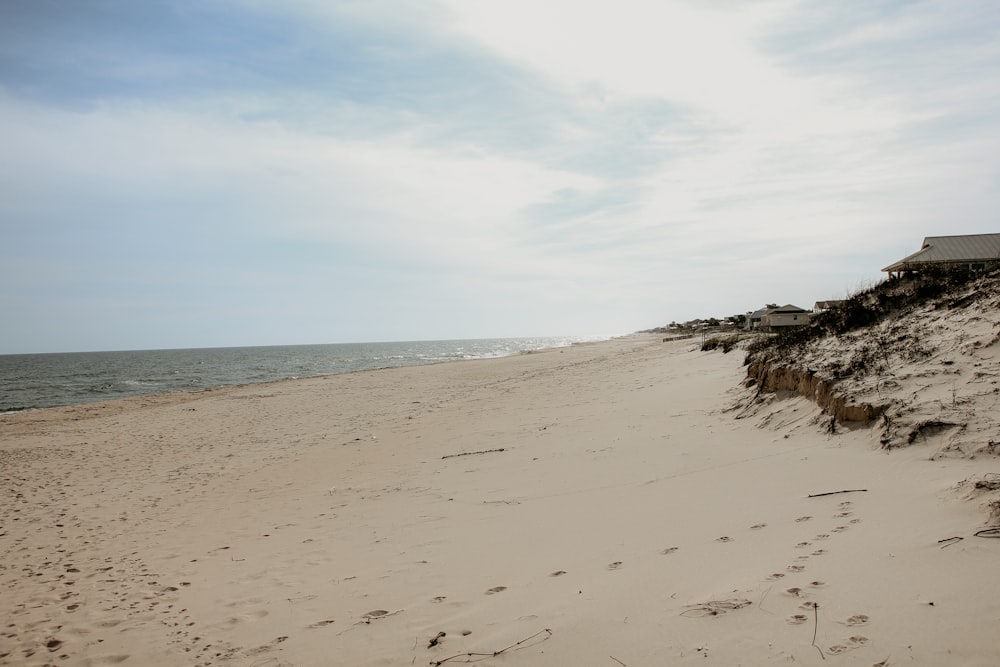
48, 380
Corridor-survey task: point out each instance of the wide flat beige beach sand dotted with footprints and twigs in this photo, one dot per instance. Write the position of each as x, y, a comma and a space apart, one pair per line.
593, 505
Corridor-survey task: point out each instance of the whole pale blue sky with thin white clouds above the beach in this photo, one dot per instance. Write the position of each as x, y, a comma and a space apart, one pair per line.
181, 173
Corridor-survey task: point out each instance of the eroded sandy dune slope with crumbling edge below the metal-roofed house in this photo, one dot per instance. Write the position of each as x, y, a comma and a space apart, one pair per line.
928, 372
